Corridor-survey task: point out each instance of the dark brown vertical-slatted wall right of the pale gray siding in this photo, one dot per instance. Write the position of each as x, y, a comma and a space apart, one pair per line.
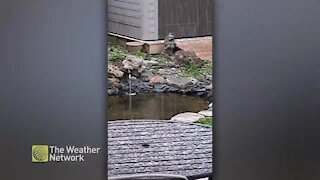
185, 18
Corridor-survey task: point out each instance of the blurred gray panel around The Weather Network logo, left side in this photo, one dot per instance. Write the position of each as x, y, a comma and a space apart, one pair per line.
52, 85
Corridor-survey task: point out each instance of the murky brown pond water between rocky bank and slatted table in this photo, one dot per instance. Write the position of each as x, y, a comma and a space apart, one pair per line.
153, 106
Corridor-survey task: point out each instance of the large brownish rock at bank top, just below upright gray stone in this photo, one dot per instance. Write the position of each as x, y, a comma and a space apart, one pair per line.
186, 57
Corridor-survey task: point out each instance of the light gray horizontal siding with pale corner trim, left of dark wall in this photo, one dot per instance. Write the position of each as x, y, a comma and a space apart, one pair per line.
134, 18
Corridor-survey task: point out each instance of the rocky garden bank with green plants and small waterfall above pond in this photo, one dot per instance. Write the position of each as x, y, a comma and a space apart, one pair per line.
156, 73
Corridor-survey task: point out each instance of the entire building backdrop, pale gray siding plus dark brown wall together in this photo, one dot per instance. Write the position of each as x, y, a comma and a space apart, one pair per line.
154, 19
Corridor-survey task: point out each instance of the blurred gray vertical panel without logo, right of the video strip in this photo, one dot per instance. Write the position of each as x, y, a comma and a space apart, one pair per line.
267, 90
